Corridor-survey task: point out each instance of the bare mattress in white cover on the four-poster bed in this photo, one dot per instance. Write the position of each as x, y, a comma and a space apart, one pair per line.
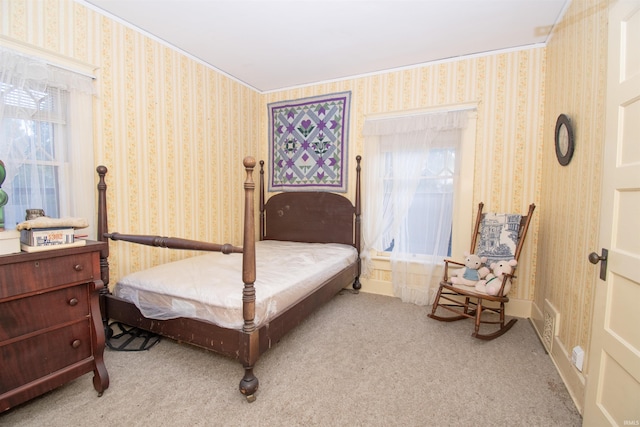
209, 287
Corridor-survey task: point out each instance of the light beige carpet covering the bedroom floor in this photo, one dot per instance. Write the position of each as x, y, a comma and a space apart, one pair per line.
361, 360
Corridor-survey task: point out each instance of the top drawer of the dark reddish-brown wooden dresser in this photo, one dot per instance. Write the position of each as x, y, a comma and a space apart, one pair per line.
34, 275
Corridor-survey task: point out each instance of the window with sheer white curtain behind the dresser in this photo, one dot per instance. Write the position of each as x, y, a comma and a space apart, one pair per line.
46, 140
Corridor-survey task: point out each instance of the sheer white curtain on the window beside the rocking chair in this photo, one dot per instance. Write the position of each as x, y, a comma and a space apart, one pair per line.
397, 151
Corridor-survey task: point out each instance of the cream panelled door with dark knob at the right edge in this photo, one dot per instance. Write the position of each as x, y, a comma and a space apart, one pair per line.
613, 381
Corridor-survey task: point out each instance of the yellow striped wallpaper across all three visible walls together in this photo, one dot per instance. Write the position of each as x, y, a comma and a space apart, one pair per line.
173, 134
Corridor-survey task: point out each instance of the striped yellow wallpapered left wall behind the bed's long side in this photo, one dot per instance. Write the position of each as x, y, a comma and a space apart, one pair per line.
171, 131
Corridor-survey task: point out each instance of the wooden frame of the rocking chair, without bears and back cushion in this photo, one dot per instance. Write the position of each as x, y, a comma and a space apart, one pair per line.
467, 302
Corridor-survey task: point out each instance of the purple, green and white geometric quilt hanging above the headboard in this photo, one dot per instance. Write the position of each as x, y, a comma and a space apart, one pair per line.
308, 143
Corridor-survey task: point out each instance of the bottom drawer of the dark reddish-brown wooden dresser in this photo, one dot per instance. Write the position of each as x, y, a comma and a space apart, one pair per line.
33, 358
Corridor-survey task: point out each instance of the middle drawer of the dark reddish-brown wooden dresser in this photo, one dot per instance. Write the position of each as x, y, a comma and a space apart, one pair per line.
22, 316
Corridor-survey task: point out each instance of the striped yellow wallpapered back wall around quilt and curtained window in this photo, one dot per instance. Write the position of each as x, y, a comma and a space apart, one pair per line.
507, 89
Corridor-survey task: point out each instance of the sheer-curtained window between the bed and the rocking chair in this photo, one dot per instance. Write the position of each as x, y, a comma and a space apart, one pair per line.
417, 184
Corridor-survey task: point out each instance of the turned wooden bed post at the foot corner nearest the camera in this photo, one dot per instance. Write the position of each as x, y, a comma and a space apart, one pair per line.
250, 343
